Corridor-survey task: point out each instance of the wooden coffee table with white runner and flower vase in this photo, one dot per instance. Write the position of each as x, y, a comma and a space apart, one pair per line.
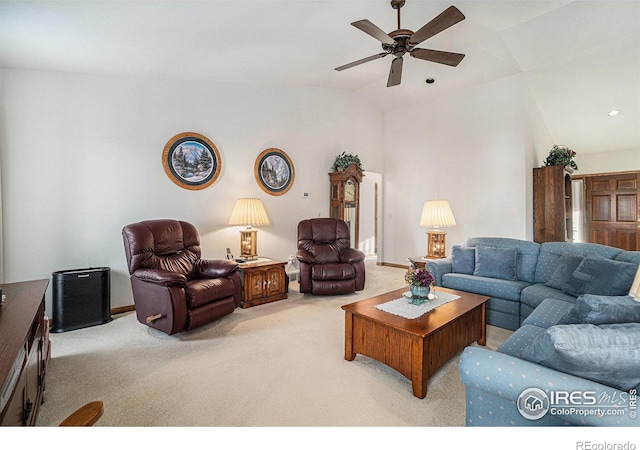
416, 348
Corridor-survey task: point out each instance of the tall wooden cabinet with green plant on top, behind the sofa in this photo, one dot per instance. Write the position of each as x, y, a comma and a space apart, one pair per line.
552, 205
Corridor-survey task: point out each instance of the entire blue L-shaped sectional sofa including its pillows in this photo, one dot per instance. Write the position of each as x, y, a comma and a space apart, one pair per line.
574, 358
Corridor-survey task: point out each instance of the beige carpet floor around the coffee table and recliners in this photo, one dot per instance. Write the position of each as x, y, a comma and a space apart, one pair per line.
275, 365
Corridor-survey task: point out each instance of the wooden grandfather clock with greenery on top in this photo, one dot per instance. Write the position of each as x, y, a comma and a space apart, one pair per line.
345, 198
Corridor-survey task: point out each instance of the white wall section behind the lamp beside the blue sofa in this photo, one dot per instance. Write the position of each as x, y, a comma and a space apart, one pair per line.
473, 148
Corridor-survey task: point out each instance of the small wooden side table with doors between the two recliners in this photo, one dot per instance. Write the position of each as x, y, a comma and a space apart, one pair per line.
264, 280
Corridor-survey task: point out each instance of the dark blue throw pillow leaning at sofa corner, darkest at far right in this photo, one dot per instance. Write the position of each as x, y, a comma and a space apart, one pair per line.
601, 276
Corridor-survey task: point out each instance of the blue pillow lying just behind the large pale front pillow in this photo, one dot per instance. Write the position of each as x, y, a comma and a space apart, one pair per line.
600, 309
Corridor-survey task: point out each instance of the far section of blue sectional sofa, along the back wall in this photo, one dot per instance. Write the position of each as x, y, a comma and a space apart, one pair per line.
517, 274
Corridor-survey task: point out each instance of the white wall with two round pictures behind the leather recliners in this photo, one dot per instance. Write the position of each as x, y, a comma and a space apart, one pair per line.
81, 158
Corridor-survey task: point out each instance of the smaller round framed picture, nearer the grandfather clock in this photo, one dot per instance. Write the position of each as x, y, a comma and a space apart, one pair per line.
274, 171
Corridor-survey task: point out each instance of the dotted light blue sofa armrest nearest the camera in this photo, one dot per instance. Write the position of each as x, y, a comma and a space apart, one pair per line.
503, 376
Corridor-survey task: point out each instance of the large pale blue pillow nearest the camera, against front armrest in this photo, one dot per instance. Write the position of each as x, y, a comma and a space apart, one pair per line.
607, 354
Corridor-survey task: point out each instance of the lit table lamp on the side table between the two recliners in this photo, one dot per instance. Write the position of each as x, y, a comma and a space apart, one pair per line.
249, 212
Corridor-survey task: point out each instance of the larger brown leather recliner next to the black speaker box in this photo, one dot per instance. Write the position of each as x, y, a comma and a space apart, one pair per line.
173, 289
